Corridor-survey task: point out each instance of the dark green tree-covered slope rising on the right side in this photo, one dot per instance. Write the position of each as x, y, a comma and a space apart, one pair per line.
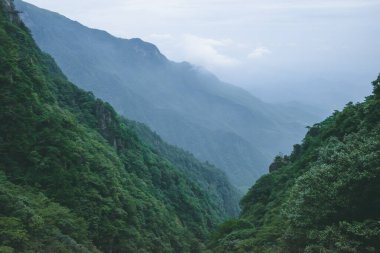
324, 197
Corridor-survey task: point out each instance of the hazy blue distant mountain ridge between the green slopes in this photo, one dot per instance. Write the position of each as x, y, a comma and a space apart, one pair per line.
186, 105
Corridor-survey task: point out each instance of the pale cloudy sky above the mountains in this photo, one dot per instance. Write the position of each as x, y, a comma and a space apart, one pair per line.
320, 52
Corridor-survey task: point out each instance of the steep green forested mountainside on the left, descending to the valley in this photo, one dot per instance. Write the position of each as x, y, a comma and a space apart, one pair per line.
74, 175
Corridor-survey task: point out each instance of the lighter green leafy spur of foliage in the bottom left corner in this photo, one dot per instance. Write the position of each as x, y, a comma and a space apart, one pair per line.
29, 221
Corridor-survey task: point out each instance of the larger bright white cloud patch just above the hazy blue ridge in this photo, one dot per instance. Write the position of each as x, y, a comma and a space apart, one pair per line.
206, 51
